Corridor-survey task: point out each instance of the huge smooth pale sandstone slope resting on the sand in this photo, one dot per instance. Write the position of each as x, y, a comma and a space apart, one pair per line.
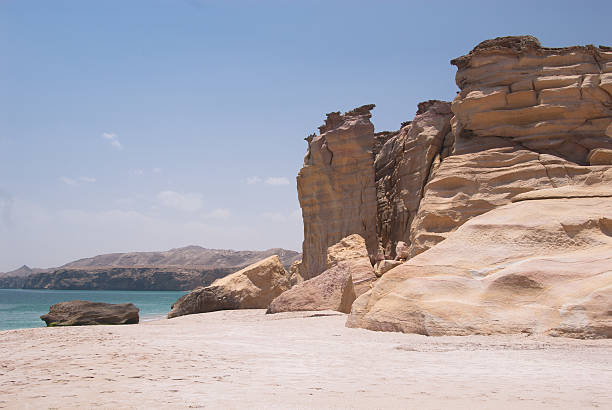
537, 266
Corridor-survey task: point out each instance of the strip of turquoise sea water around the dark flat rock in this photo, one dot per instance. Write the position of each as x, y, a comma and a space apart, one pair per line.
21, 308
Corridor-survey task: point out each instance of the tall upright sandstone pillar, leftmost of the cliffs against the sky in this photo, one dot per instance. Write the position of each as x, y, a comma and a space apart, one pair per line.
336, 186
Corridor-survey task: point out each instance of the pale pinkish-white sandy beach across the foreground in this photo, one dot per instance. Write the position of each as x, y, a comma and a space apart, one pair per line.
245, 359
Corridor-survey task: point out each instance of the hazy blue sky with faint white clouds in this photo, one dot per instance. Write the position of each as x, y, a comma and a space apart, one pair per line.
150, 125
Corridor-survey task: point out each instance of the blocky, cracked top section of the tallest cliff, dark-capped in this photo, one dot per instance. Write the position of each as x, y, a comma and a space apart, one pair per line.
550, 100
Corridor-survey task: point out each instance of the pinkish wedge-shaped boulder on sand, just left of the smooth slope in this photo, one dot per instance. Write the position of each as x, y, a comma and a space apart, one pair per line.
331, 290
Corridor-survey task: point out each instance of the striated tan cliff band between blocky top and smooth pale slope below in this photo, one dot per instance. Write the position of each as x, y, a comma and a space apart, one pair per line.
467, 185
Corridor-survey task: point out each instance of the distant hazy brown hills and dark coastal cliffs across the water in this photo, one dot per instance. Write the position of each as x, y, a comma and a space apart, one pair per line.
175, 269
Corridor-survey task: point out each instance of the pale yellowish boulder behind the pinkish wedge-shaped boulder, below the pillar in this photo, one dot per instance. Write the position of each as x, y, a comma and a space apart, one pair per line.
352, 250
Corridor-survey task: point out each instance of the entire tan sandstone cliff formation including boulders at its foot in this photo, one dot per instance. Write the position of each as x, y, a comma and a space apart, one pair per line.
488, 215
